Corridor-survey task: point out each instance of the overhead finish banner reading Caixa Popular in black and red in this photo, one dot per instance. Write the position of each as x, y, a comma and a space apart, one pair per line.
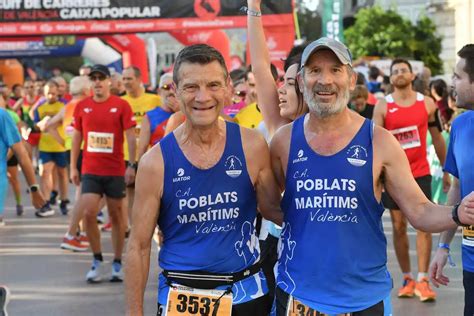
34, 17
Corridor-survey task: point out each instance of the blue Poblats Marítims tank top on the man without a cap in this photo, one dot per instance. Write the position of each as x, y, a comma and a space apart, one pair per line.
207, 216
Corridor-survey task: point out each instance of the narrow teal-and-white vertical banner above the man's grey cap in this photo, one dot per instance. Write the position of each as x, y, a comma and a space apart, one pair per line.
332, 19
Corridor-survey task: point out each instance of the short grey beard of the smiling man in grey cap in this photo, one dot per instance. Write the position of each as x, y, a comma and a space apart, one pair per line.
324, 110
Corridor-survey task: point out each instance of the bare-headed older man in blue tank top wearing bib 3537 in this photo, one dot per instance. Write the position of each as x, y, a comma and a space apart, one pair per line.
202, 185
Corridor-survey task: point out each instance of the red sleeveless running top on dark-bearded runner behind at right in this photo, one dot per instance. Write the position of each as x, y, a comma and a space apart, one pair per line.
409, 125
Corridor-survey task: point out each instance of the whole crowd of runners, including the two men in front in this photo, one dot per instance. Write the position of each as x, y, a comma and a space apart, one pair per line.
264, 194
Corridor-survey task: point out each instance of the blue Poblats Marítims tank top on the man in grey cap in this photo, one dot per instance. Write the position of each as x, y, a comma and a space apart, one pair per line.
332, 252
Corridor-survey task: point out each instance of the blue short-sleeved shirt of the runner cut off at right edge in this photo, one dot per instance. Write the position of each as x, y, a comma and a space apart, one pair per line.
459, 161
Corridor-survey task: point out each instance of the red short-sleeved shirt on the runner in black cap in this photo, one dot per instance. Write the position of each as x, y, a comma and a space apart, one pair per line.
102, 126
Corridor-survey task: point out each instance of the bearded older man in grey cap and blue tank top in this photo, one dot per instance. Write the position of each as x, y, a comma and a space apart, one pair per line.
332, 253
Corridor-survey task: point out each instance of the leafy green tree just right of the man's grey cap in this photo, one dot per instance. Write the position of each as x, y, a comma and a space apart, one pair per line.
381, 33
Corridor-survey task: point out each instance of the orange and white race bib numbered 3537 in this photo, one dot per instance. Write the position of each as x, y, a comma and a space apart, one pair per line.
188, 301
